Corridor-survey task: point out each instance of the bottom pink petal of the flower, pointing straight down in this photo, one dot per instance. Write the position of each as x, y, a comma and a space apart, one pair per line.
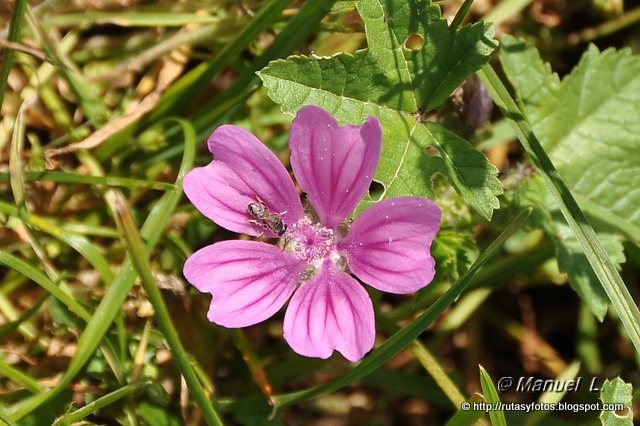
330, 311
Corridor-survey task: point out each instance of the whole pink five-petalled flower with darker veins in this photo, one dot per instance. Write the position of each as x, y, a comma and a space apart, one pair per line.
386, 247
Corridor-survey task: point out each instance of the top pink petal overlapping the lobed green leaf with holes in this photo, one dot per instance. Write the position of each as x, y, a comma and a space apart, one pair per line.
334, 165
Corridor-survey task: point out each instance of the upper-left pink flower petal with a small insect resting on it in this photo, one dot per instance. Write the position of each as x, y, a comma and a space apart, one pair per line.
242, 171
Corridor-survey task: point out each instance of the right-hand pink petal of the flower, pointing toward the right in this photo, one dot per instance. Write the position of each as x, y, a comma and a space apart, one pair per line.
388, 244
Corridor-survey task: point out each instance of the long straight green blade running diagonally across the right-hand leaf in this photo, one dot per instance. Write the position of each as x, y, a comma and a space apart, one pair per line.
601, 265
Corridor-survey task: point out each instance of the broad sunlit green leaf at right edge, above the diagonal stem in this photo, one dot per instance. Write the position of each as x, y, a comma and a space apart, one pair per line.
586, 125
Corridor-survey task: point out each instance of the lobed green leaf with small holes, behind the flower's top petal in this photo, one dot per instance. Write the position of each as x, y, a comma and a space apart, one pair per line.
412, 64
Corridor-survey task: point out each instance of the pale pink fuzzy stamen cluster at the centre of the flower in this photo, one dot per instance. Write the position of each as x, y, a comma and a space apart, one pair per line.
309, 241
